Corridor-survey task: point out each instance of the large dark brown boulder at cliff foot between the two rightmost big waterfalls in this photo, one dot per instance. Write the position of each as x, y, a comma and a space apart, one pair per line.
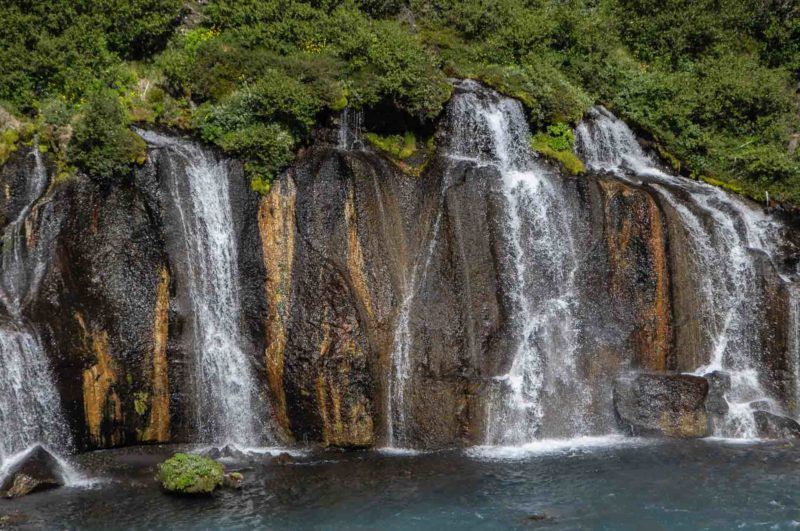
661, 404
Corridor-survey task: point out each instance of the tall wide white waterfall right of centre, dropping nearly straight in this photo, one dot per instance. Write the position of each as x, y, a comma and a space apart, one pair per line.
491, 130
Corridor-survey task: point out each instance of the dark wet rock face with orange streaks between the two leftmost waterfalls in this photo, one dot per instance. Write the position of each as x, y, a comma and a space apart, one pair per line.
104, 306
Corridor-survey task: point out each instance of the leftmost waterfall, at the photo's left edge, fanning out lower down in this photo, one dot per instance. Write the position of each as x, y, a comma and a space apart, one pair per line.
31, 408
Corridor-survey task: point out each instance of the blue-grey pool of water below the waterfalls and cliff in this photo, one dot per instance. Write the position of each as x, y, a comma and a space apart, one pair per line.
599, 484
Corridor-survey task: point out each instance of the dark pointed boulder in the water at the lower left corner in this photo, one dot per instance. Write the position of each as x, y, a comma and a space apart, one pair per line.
36, 471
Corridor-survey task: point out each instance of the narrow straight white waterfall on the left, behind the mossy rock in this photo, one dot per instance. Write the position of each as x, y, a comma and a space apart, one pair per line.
228, 408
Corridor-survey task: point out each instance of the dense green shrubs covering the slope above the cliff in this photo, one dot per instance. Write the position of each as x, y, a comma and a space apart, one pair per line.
712, 82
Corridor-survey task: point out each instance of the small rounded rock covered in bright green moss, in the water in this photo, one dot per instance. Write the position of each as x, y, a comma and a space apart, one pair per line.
190, 474
